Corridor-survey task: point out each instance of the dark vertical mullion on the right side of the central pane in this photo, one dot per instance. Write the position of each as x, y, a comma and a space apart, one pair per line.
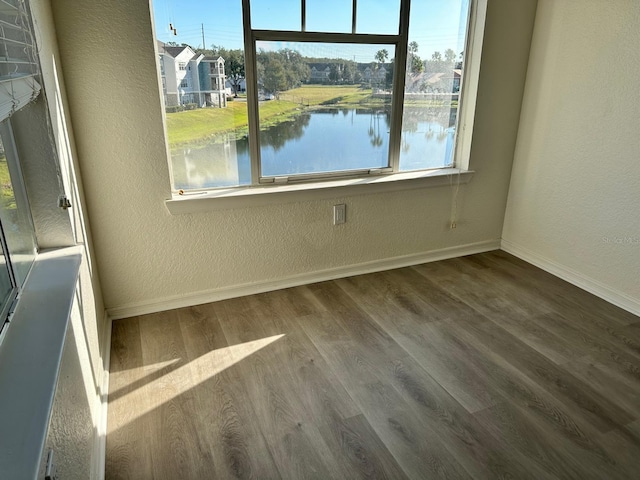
400, 65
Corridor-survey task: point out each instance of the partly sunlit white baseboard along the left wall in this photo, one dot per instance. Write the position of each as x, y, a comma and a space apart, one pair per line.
100, 446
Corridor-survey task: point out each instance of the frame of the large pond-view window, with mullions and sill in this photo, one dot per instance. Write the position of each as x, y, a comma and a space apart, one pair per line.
275, 190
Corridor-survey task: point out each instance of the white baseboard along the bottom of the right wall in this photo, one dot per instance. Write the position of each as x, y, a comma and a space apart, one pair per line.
591, 285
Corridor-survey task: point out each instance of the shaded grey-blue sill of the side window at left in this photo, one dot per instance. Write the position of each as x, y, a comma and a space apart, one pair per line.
30, 356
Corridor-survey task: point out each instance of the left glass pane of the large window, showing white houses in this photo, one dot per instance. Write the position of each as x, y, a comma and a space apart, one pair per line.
205, 95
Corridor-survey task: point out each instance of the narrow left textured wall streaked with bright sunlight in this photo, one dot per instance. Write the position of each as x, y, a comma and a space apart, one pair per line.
76, 416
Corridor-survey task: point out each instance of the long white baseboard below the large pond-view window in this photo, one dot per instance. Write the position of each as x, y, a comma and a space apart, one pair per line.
179, 301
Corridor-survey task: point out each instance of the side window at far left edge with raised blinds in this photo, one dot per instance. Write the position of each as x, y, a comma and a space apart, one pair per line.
18, 87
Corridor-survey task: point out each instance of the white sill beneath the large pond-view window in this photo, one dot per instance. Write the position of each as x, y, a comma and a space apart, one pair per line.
242, 197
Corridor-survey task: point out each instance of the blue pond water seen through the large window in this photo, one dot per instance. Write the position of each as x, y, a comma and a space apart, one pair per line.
320, 141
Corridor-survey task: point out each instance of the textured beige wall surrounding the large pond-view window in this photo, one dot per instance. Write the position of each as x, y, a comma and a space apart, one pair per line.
145, 254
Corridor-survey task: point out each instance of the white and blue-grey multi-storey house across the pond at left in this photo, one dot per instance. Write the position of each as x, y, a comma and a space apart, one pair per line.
190, 77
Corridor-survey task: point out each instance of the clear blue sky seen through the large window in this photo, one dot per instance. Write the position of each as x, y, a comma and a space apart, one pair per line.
435, 25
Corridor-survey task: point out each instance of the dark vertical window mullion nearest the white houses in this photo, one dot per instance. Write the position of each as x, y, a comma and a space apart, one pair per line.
252, 92
